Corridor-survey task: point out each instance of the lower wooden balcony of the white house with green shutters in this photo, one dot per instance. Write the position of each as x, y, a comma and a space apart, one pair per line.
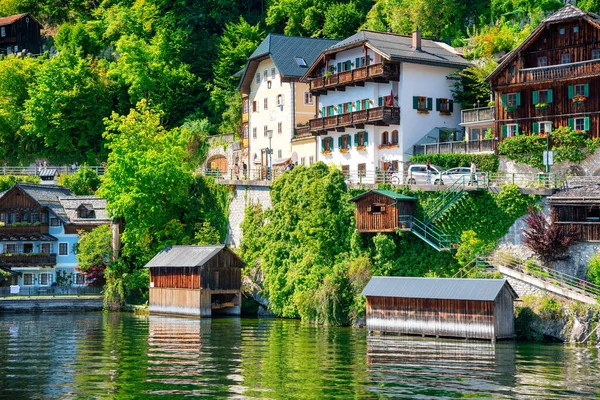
373, 116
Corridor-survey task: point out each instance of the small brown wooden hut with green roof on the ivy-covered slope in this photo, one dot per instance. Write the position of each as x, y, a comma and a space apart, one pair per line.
379, 210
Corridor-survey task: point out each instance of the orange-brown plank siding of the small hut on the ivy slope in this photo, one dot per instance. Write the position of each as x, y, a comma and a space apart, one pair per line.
380, 222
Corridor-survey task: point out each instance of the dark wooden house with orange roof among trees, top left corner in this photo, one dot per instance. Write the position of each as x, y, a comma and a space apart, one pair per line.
20, 33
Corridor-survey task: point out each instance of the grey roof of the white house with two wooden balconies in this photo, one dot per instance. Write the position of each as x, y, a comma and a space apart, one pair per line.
399, 48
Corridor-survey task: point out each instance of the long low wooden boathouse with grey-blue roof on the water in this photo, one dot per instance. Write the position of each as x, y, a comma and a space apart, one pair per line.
441, 307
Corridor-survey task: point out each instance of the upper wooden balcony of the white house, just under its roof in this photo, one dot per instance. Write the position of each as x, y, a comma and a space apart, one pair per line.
357, 77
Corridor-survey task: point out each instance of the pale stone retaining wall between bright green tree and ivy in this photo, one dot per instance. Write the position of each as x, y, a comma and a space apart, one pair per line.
245, 194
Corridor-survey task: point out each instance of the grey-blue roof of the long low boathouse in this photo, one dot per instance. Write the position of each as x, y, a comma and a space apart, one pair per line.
436, 288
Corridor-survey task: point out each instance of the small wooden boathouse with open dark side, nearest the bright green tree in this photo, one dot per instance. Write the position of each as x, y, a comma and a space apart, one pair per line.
196, 280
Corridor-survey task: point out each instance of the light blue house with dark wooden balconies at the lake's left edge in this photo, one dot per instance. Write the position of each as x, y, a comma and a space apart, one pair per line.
39, 229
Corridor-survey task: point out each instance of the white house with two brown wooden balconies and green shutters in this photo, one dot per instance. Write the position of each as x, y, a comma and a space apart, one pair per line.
380, 94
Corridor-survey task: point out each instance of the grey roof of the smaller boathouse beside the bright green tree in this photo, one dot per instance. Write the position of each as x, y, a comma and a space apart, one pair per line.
185, 256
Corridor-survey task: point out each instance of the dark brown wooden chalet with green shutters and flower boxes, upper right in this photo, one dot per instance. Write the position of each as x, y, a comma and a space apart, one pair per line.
552, 79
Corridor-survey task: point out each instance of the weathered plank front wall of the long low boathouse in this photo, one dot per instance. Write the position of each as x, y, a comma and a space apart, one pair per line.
431, 317
